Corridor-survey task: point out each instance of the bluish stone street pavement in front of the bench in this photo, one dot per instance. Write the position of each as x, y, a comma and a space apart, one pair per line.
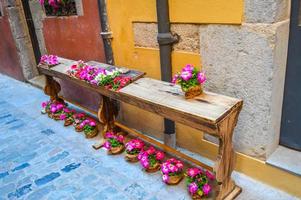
41, 159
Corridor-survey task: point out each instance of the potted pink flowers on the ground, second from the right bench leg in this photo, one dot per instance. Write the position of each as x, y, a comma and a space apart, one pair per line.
172, 171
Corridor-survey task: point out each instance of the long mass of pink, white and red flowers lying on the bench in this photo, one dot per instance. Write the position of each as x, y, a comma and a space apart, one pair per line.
110, 79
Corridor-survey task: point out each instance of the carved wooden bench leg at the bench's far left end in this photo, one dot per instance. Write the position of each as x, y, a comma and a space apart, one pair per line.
52, 88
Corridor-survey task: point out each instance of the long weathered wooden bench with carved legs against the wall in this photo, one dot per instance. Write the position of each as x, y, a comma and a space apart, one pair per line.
212, 113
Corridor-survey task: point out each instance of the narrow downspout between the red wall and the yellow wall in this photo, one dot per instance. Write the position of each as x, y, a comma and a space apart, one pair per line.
105, 34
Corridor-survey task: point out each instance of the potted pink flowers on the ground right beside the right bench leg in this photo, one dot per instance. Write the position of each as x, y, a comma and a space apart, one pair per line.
198, 182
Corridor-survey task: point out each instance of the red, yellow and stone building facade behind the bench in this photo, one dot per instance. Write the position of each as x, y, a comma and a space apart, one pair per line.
242, 45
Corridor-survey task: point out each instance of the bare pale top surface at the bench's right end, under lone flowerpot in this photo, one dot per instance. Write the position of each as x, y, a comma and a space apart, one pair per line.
208, 106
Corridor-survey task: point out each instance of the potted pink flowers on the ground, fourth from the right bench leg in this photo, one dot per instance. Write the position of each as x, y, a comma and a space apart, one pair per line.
132, 149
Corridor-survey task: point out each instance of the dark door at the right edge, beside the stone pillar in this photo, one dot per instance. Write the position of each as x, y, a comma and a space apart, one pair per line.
291, 113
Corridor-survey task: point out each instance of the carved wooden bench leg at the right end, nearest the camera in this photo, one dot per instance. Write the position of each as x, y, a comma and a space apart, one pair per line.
225, 160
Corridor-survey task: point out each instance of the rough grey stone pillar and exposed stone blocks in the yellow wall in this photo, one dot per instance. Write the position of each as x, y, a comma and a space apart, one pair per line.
247, 61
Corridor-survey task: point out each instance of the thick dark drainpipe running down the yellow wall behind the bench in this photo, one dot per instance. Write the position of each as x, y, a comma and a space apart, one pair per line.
166, 40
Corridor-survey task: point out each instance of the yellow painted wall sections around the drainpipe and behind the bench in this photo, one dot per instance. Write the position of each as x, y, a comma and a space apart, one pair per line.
122, 14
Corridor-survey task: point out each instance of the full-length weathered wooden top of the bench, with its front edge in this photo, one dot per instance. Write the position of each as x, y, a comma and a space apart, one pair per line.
164, 99
